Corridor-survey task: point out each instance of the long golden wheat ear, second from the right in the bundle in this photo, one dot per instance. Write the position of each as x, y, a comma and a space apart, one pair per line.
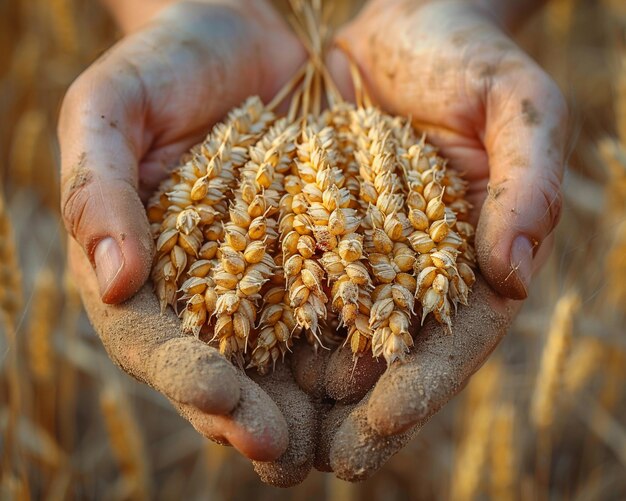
386, 229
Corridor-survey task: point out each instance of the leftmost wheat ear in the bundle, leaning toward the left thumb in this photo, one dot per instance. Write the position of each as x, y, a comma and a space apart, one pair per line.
189, 206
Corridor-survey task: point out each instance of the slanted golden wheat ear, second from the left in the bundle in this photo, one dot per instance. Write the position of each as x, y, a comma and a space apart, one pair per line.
246, 264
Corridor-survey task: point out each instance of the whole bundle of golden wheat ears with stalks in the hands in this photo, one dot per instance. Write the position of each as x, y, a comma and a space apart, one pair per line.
344, 214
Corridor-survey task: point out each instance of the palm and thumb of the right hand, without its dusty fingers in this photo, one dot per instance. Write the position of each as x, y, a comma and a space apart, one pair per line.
492, 111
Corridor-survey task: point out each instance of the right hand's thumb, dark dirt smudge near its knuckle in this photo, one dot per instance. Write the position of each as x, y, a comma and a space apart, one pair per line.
525, 126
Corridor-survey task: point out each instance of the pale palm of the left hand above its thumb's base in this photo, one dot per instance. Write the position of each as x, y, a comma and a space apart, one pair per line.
191, 68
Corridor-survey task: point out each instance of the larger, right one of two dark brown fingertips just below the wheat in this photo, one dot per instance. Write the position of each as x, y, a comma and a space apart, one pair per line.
347, 379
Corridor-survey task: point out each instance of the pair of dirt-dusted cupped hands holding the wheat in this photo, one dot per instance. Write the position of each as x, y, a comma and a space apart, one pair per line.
493, 112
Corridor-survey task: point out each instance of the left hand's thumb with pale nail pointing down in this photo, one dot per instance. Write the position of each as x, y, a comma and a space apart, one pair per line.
100, 134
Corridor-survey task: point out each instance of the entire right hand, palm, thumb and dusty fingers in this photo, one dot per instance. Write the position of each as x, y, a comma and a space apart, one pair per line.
500, 120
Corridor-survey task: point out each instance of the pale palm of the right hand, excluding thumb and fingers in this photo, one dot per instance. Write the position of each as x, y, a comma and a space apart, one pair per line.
438, 77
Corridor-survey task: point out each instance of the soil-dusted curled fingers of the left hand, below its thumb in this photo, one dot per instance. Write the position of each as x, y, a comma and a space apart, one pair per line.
269, 419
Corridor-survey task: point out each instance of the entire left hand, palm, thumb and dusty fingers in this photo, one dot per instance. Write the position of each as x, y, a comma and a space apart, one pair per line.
123, 123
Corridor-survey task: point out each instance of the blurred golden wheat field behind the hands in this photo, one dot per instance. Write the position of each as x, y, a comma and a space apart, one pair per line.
543, 419
